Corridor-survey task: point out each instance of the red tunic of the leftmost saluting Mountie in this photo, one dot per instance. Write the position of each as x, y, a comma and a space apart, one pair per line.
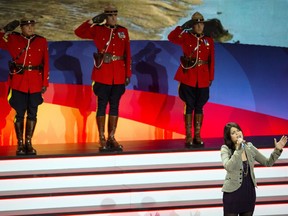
36, 54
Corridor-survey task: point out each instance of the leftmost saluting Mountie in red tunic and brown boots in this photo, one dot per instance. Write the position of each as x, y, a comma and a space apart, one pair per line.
29, 77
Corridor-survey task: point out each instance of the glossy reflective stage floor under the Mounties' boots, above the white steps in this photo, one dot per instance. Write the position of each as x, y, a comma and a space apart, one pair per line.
131, 147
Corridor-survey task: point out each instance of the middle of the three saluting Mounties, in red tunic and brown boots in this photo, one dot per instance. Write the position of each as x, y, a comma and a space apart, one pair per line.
111, 71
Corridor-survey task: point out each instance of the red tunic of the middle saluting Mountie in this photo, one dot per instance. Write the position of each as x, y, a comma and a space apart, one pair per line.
114, 72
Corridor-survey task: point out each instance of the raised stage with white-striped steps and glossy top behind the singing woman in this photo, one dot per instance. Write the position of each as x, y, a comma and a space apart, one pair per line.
150, 178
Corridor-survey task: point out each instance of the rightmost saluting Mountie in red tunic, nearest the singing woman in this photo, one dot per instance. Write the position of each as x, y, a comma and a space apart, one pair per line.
195, 73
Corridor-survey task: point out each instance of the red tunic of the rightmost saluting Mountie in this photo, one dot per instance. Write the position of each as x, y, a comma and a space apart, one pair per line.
201, 74
